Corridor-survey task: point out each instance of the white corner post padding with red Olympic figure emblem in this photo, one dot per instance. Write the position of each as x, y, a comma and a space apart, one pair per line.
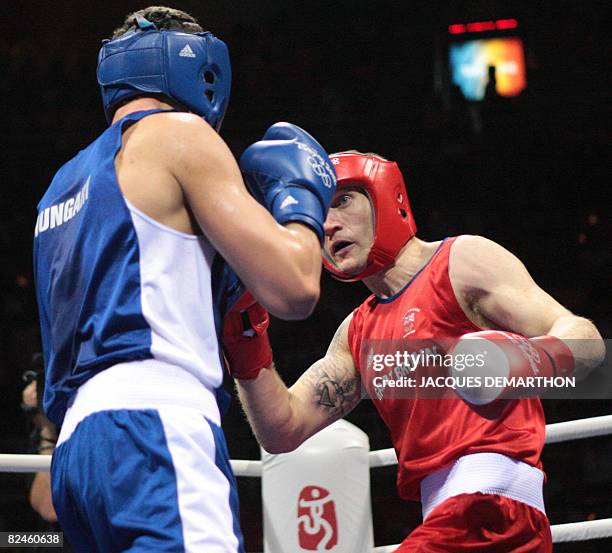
318, 496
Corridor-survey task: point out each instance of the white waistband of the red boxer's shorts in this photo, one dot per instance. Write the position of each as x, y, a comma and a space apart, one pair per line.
485, 473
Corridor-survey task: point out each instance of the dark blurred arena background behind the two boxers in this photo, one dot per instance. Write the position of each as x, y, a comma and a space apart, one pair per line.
528, 167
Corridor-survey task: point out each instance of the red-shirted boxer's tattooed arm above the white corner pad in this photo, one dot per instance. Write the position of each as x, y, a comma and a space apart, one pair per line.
283, 418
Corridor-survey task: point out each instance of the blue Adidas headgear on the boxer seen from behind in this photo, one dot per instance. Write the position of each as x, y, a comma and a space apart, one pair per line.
191, 69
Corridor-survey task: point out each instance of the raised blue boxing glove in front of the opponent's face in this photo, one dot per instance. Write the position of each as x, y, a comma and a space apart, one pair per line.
290, 174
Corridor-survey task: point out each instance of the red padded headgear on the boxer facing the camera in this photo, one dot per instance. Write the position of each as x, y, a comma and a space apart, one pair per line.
394, 223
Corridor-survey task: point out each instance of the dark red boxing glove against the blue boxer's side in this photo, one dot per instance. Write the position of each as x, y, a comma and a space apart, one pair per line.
245, 338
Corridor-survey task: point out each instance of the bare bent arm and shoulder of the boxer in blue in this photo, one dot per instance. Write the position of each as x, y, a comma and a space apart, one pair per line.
187, 169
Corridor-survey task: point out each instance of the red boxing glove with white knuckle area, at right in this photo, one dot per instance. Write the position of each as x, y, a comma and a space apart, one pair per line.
495, 353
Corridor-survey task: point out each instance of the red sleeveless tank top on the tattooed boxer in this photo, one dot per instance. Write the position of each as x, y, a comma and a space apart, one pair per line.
429, 434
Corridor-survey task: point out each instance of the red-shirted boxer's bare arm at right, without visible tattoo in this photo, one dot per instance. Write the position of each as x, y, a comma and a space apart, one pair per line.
496, 292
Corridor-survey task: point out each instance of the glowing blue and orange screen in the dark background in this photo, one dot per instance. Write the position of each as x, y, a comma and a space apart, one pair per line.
469, 62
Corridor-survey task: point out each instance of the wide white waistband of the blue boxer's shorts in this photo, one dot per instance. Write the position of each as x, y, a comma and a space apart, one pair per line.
147, 384
